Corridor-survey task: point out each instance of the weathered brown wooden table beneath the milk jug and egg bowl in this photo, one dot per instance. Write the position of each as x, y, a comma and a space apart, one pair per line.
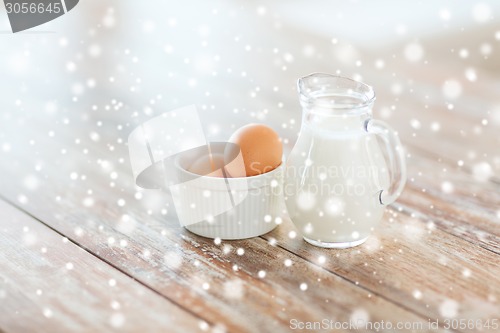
83, 249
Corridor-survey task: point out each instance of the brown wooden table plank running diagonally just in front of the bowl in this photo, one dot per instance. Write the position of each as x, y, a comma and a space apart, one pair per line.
182, 266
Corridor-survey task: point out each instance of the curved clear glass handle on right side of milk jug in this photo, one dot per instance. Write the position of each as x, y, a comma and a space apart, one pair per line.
396, 159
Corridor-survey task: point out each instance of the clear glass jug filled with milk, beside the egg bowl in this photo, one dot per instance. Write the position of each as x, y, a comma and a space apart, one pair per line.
338, 177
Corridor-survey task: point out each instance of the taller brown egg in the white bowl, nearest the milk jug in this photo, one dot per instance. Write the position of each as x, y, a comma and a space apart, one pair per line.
261, 149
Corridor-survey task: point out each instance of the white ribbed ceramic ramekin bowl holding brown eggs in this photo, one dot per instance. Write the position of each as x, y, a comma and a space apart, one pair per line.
227, 208
